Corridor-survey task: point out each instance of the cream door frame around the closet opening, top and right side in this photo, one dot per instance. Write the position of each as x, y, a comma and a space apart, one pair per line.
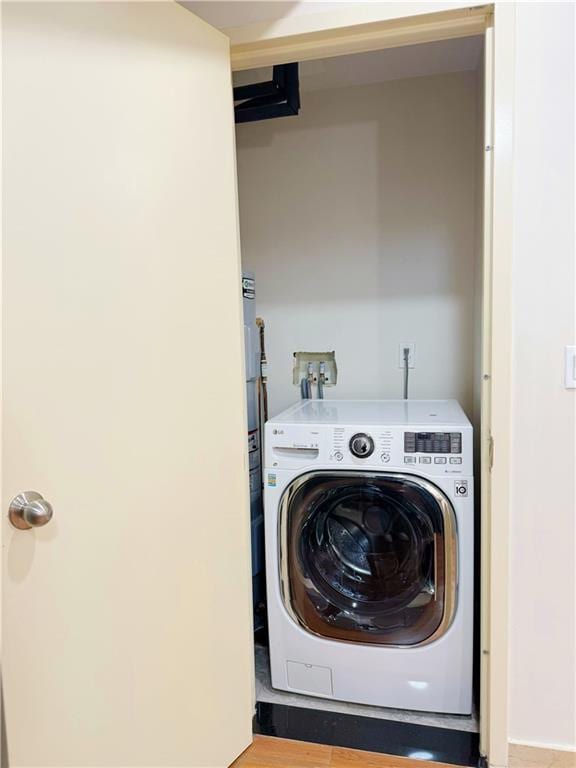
391, 30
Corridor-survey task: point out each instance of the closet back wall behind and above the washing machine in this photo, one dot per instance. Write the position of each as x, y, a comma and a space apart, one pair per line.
358, 218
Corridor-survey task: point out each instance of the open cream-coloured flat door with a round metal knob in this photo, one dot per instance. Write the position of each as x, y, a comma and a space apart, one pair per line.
126, 618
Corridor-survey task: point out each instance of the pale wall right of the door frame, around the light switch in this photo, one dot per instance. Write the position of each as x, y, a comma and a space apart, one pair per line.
542, 596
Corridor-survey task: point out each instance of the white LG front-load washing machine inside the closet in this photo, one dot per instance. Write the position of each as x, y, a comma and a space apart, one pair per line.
369, 519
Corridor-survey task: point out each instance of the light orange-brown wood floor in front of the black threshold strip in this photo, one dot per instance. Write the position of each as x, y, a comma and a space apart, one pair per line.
268, 752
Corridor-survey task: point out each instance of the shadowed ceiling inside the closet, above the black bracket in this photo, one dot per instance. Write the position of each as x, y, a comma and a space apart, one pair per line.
457, 55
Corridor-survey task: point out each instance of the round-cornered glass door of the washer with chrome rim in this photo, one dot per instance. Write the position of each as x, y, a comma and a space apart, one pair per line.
368, 557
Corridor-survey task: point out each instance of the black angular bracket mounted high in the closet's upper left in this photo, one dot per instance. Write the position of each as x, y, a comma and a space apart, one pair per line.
279, 97
